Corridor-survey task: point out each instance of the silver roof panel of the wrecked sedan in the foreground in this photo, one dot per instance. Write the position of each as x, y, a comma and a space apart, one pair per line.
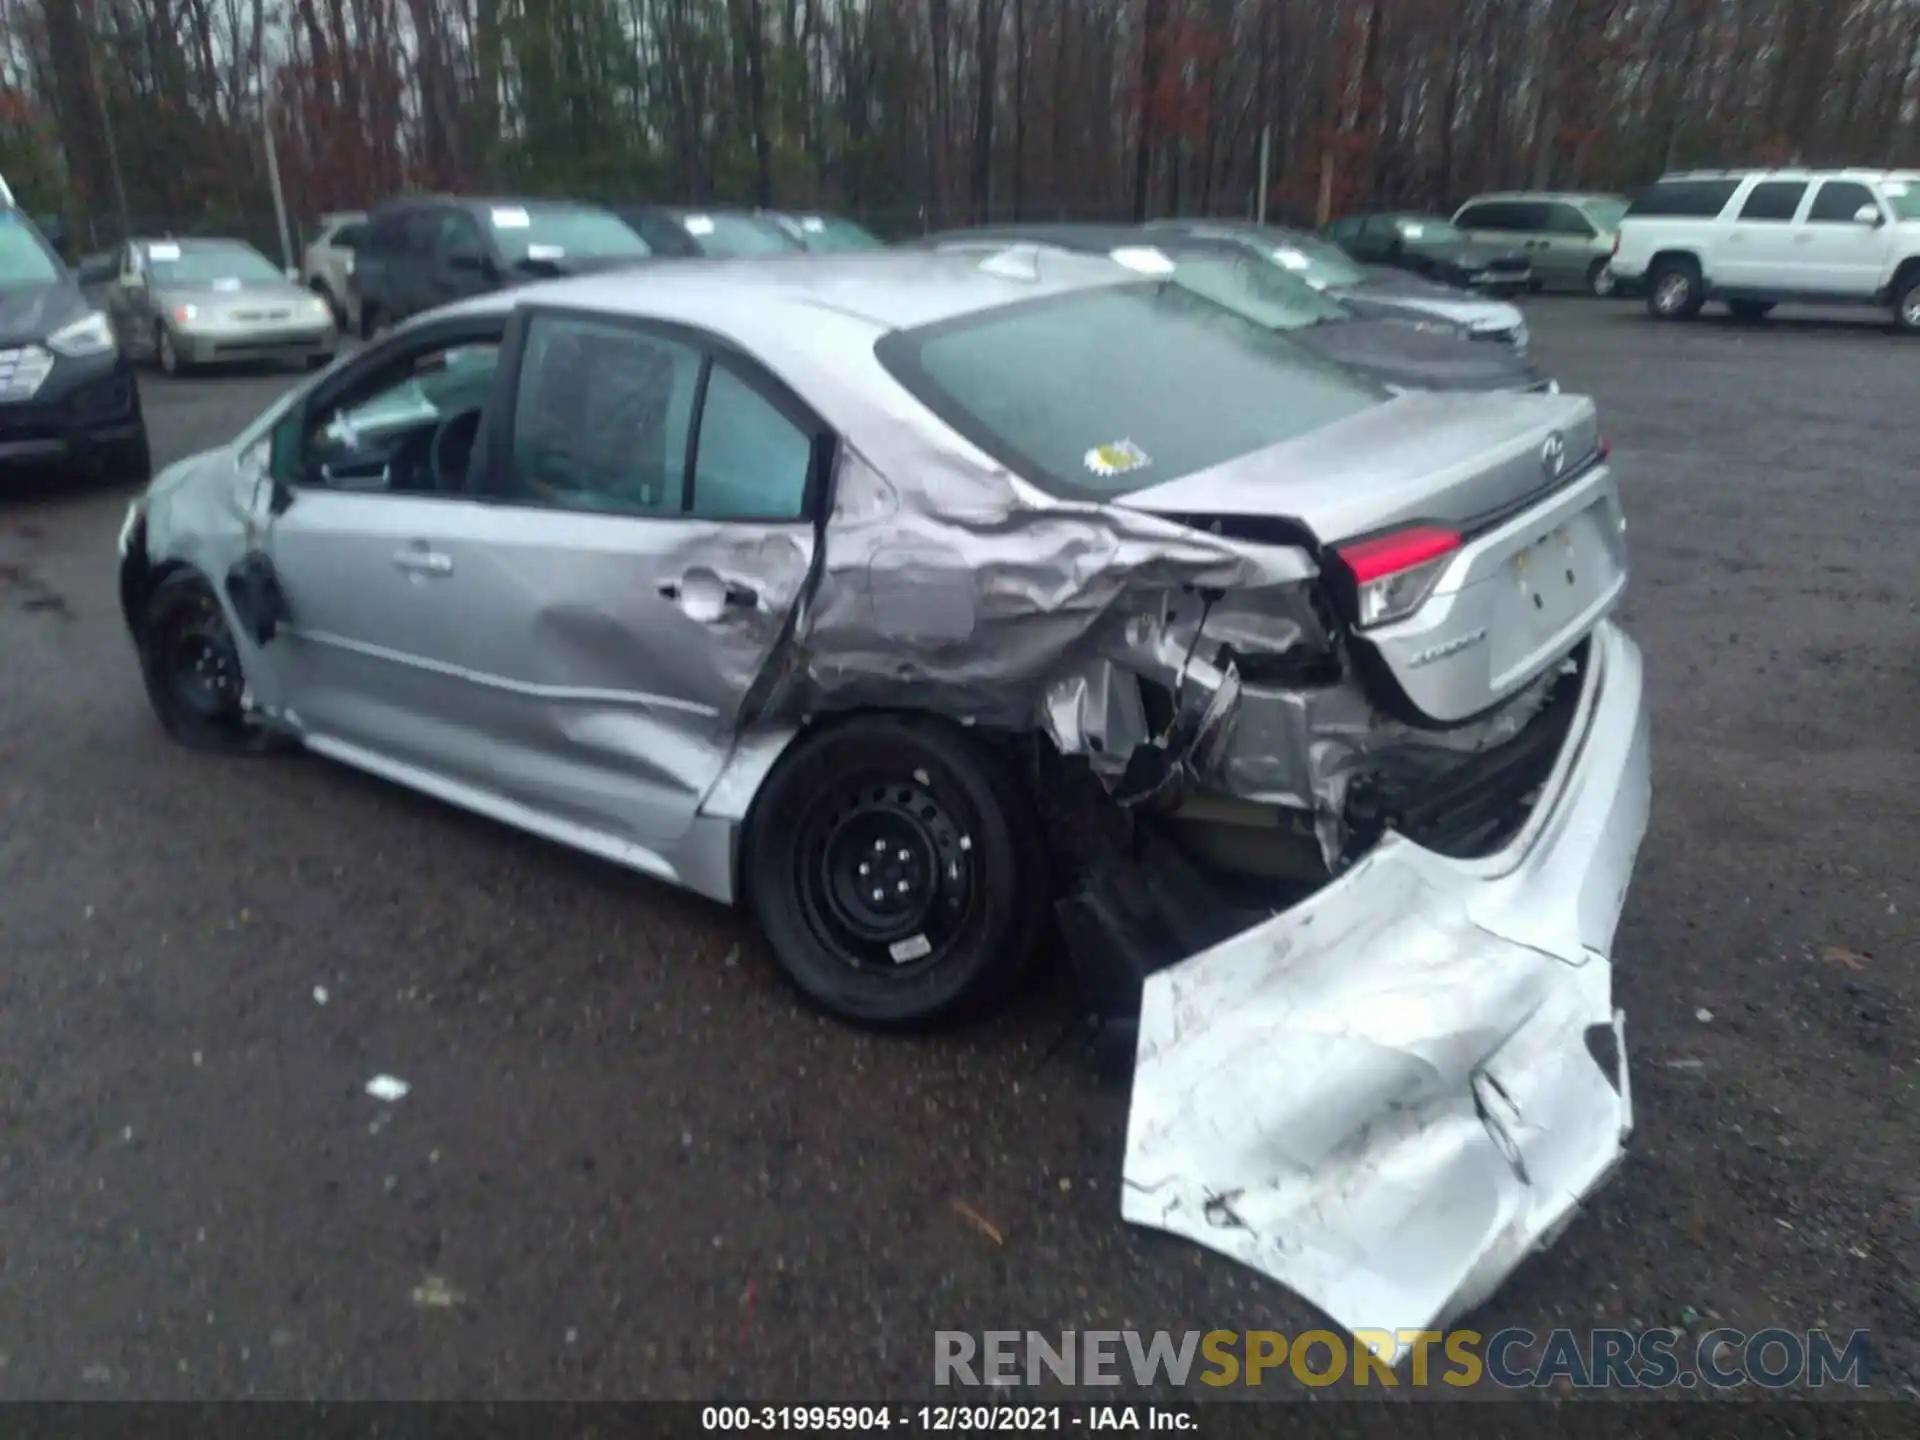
880, 289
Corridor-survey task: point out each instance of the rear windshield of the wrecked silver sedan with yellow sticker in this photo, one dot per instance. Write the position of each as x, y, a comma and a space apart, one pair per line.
1113, 391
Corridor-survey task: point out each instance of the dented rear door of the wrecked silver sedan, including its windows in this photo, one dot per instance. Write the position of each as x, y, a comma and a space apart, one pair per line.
650, 531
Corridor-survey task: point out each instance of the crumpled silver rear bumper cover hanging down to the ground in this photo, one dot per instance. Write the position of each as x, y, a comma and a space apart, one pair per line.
1391, 1095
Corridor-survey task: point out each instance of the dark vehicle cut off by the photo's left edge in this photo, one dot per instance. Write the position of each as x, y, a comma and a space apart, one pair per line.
68, 396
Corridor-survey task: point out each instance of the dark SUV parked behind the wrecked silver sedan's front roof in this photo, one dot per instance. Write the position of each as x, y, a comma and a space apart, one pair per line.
431, 251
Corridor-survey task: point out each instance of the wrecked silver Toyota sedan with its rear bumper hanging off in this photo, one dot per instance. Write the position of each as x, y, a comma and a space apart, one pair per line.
932, 606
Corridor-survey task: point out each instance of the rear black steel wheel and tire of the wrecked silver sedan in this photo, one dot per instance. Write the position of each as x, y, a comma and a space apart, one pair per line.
898, 871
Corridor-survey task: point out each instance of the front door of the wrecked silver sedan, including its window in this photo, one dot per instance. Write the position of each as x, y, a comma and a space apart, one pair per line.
375, 560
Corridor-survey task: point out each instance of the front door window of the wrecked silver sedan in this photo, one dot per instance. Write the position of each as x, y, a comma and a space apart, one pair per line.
383, 431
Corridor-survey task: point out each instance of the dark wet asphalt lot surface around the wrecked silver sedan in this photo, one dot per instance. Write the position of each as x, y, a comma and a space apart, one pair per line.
631, 1164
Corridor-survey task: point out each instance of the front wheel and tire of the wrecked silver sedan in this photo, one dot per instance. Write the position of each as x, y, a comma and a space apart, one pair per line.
193, 671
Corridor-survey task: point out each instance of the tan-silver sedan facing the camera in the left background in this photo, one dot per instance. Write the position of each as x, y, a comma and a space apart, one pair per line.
204, 302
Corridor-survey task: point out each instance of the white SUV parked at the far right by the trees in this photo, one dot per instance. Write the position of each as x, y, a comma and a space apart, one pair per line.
1754, 239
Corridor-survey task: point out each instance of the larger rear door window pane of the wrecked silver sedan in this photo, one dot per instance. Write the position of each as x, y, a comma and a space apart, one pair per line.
602, 418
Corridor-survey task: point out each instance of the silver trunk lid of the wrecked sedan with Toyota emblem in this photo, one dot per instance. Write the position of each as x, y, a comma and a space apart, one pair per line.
1518, 475
